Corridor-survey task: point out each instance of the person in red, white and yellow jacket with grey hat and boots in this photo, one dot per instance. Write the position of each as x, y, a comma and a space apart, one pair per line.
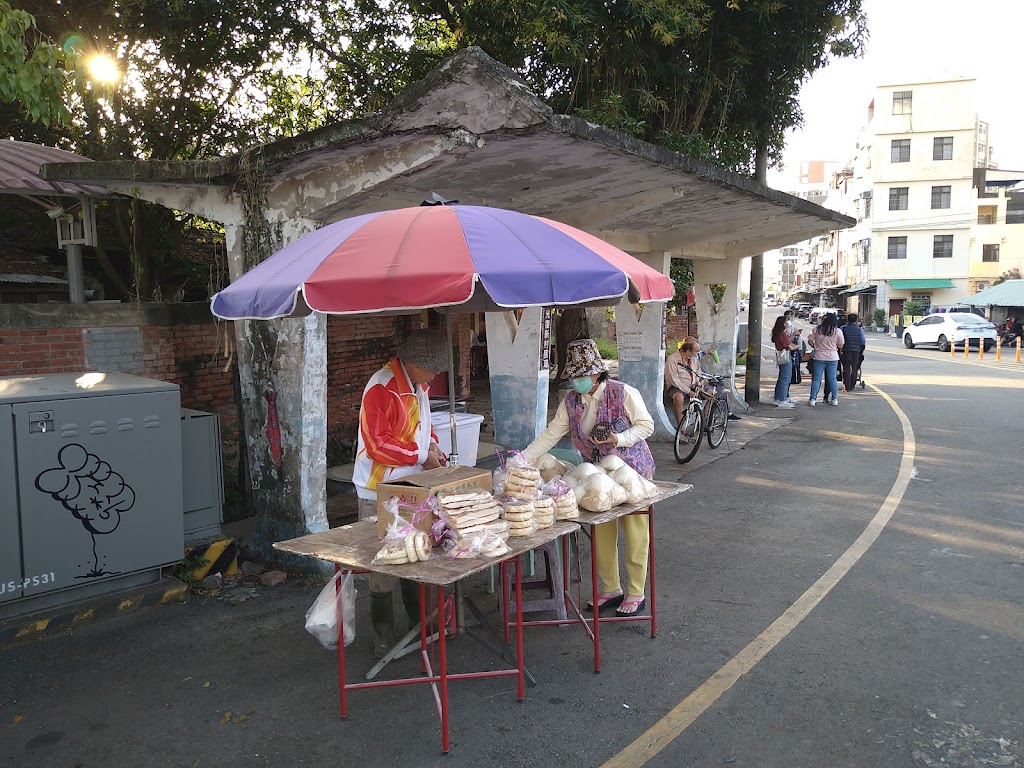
396, 440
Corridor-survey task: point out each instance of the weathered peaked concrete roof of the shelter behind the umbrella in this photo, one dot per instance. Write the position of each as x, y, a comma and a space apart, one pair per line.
474, 133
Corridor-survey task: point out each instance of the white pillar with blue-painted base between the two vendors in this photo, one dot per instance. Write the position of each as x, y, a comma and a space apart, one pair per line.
518, 358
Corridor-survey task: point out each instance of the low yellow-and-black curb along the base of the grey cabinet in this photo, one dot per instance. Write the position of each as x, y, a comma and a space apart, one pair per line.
27, 629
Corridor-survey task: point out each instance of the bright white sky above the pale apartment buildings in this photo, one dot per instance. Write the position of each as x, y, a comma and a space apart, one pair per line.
911, 40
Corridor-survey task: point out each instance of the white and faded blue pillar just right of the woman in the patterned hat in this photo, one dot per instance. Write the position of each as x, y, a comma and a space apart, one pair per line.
641, 335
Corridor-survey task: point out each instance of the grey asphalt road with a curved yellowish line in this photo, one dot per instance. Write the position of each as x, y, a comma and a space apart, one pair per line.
847, 590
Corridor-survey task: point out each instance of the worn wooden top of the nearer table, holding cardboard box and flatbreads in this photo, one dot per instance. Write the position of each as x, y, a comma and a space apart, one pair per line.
354, 546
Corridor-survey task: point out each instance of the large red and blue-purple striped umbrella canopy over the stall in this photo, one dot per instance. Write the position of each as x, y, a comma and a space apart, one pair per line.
470, 259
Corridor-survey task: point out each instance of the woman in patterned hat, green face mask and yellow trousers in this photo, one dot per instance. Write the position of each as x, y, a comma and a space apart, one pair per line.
605, 416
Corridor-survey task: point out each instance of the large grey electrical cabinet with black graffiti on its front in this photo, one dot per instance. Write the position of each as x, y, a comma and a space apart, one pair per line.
91, 483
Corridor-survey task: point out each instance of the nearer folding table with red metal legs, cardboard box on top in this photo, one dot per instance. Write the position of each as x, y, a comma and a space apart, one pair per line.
353, 547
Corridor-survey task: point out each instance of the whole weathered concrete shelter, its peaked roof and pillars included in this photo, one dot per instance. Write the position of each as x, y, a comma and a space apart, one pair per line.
473, 132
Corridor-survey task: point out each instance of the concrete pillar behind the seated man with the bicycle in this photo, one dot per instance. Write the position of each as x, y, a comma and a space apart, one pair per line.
719, 324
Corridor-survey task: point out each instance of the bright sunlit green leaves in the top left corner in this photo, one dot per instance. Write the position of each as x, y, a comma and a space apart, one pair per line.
34, 72
